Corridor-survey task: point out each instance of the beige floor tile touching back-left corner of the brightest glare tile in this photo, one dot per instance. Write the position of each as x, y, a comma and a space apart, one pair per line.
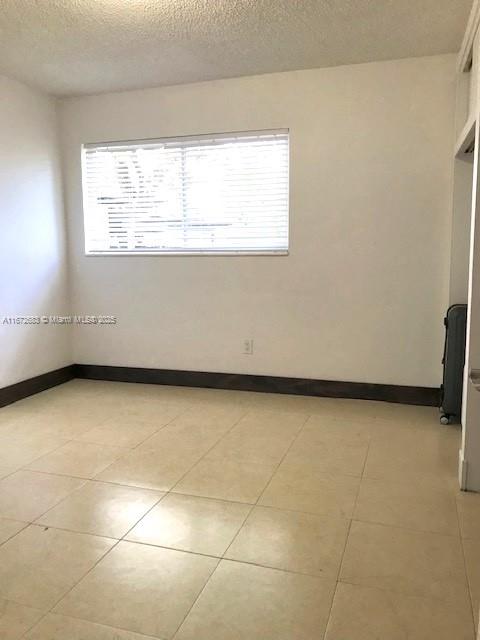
150, 469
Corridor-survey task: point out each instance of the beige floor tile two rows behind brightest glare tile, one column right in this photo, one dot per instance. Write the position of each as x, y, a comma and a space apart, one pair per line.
329, 455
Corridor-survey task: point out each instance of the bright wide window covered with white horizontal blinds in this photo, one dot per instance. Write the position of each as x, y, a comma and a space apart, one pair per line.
209, 194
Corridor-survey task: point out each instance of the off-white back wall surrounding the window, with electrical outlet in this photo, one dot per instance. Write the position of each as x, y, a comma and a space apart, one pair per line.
363, 293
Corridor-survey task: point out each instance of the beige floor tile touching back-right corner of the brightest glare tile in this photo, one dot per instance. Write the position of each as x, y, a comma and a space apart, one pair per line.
304, 488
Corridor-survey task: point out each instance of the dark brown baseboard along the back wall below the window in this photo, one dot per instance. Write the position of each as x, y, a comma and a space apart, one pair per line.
427, 396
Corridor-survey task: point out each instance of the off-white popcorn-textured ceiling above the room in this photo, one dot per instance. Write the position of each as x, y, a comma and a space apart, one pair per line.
70, 47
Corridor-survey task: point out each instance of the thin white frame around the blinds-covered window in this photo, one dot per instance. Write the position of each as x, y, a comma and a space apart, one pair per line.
186, 253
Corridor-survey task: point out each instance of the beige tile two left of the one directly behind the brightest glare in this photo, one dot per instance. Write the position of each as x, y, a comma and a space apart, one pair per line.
78, 459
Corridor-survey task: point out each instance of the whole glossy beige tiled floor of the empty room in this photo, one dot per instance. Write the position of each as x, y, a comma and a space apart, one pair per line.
130, 512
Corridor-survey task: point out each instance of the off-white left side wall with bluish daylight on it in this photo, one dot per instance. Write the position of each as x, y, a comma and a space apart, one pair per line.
33, 277
